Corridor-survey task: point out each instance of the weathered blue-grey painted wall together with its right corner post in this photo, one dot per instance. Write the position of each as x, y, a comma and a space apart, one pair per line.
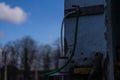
91, 34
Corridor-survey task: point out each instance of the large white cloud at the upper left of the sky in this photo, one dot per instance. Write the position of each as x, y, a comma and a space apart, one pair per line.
15, 15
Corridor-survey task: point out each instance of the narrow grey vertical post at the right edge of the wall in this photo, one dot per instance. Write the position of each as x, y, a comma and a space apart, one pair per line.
111, 63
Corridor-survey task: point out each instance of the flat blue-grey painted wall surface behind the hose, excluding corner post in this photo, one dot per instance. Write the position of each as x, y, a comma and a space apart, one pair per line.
91, 30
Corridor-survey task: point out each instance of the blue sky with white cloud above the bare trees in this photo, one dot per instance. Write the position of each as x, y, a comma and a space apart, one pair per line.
40, 19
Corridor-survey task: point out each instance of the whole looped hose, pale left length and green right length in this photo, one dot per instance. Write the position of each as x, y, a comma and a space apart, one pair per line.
74, 46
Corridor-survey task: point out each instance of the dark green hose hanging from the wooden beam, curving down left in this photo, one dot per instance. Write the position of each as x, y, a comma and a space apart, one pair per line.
74, 47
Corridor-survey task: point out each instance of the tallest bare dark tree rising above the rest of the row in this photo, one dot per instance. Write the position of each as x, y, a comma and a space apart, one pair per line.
27, 54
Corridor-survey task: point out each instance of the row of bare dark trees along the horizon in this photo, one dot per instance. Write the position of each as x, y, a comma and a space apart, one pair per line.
26, 54
